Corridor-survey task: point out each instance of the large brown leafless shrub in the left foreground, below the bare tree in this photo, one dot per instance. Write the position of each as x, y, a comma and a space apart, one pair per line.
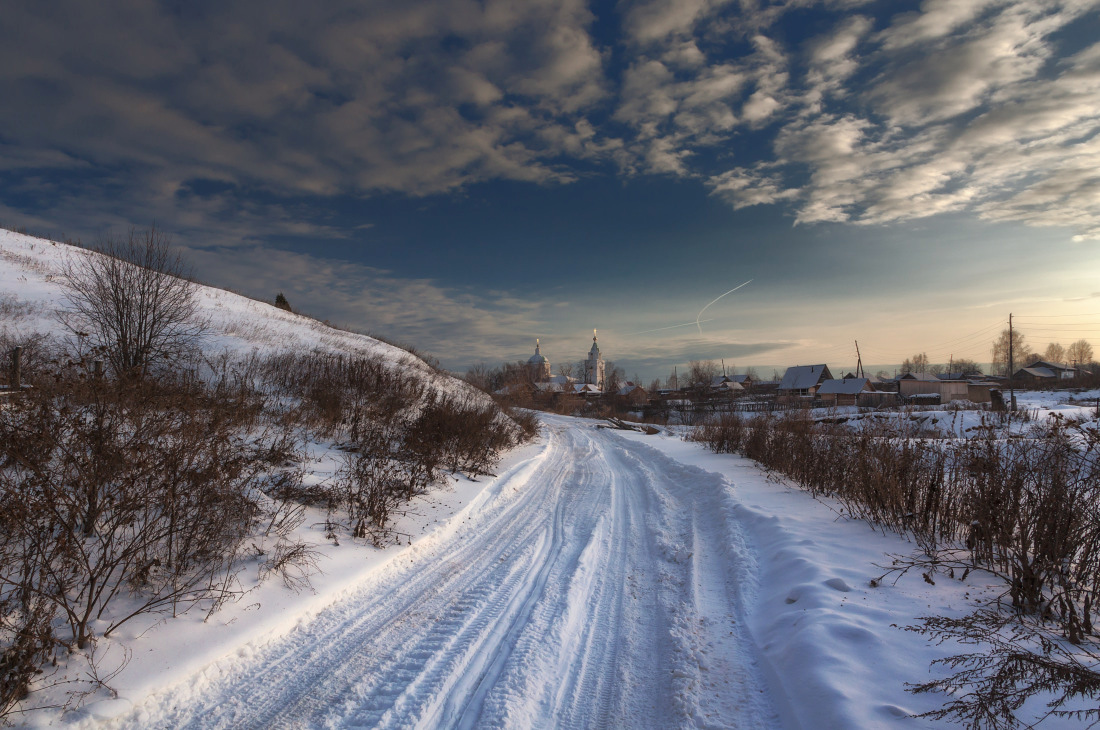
130, 490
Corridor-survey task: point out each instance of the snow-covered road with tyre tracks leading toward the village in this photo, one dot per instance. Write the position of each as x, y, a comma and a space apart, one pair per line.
600, 584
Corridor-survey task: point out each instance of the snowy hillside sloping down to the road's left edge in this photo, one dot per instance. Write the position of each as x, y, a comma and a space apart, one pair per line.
326, 427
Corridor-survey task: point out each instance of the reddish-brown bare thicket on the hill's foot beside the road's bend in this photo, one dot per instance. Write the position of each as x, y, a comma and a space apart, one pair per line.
399, 436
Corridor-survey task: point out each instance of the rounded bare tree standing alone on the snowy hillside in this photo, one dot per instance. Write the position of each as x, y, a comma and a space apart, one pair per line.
135, 300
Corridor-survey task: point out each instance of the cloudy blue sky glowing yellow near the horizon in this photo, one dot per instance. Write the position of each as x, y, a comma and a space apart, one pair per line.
466, 176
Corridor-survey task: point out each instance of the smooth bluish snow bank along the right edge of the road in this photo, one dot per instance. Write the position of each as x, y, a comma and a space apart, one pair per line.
831, 645
